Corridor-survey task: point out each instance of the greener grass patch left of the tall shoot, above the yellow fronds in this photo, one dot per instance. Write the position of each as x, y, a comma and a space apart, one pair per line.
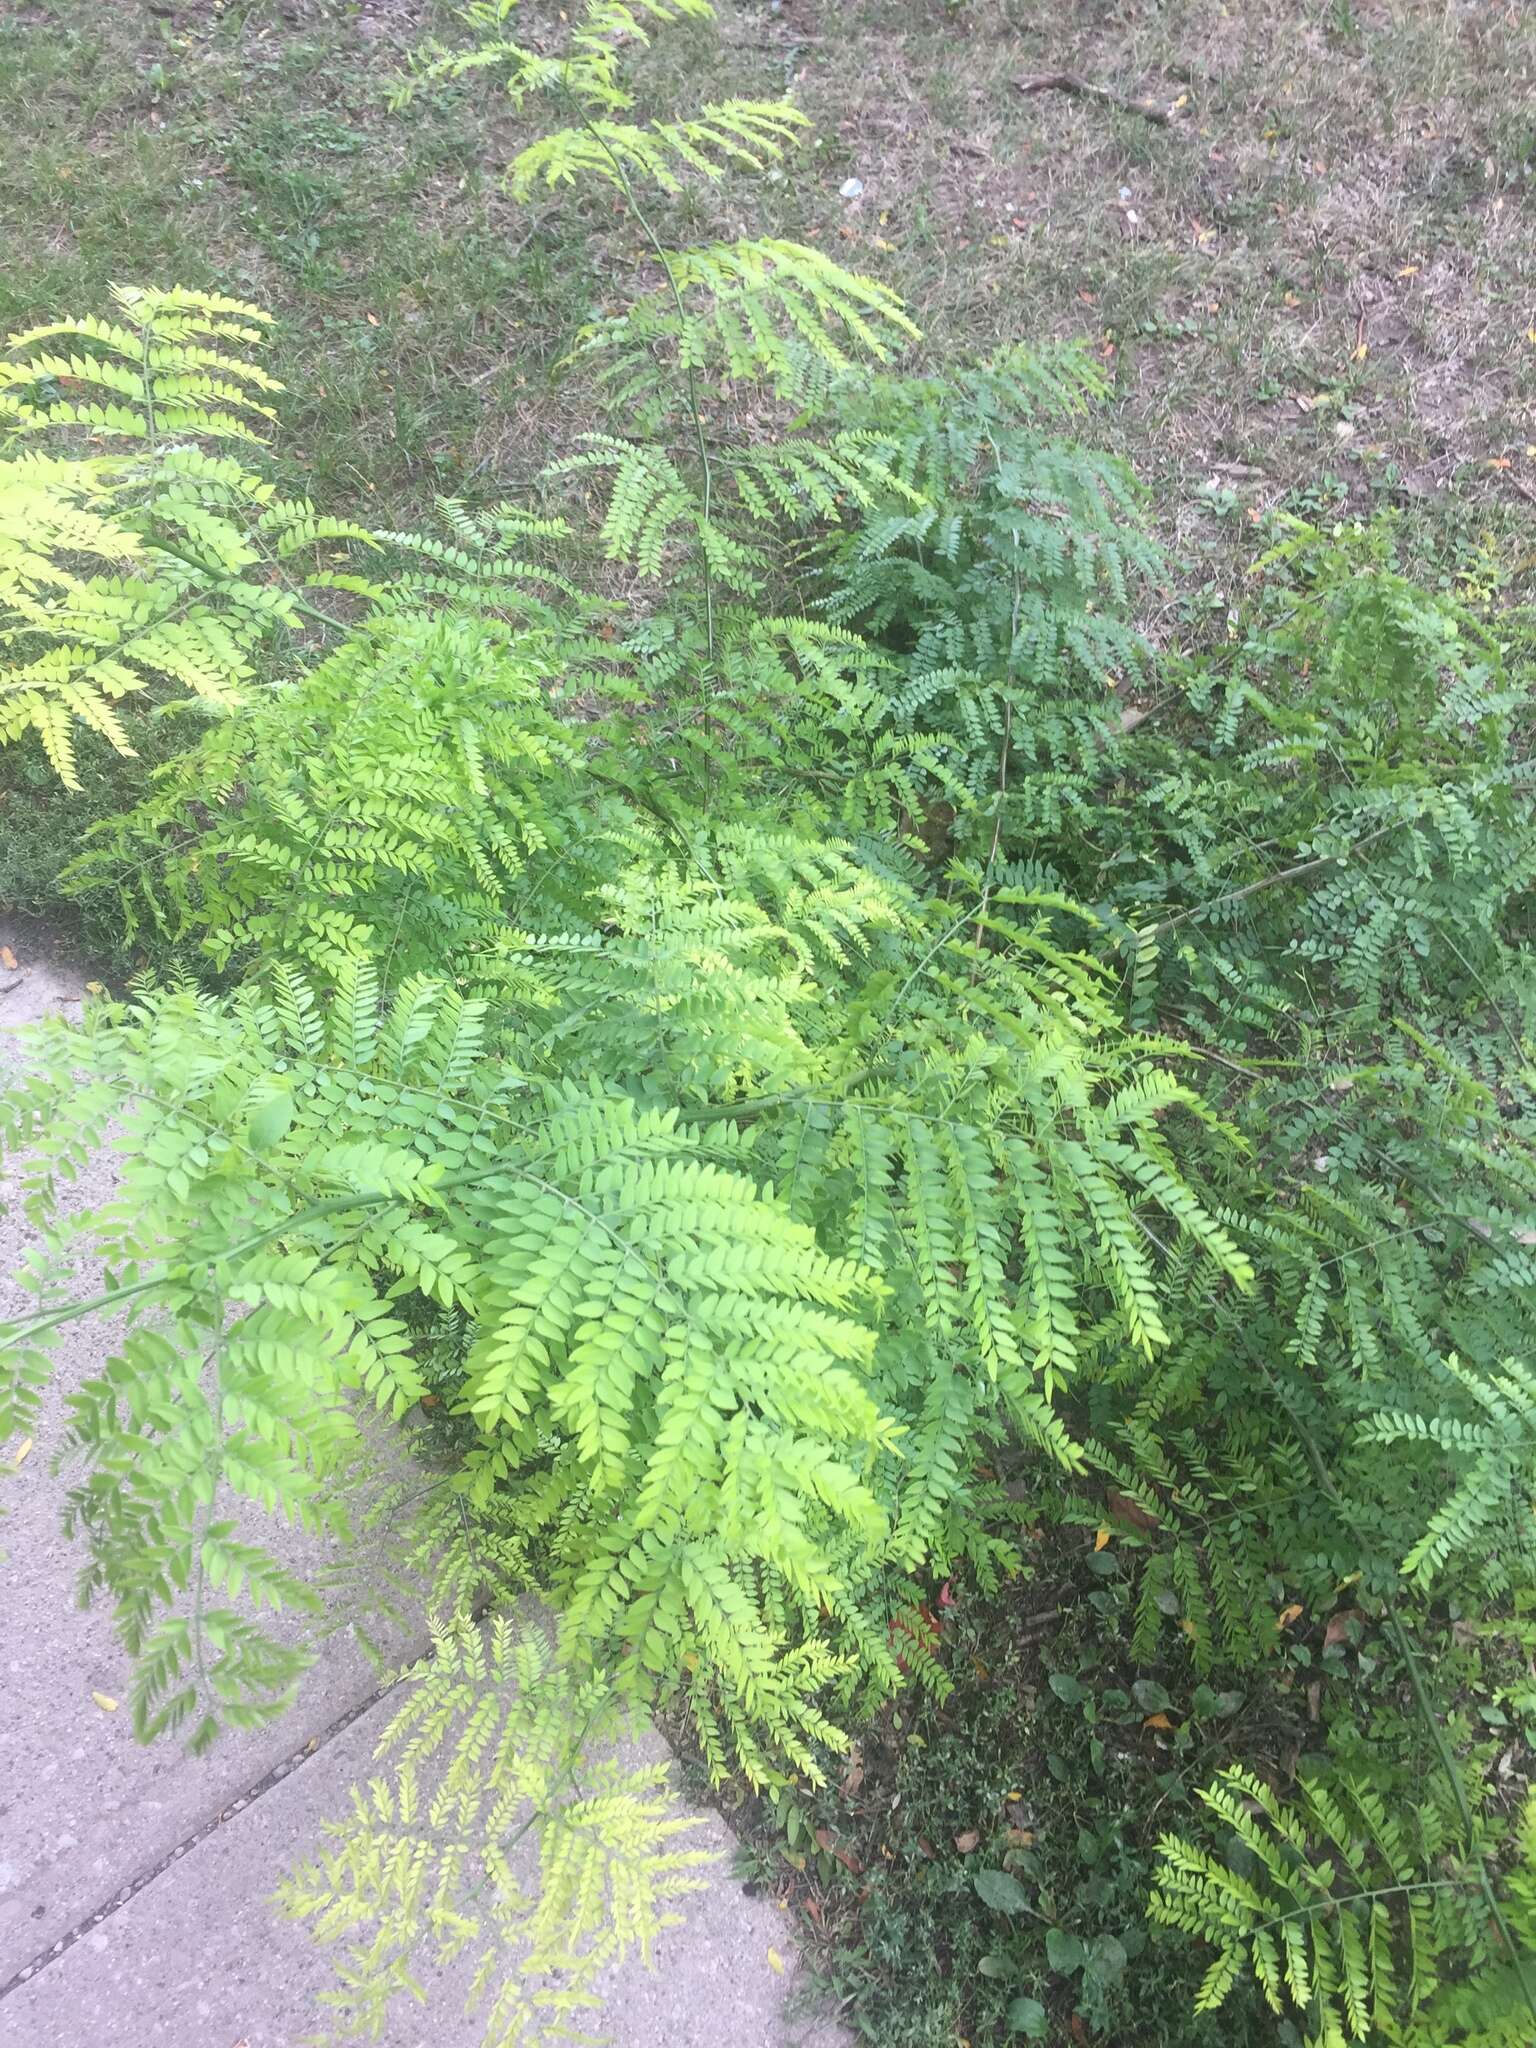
255, 153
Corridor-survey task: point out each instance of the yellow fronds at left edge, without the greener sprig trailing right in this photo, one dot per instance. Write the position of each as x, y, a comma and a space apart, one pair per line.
134, 568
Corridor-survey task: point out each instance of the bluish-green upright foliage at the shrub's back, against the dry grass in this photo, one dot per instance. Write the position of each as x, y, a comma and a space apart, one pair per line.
1005, 593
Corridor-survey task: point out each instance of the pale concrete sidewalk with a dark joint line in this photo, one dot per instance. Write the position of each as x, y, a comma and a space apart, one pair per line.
134, 1883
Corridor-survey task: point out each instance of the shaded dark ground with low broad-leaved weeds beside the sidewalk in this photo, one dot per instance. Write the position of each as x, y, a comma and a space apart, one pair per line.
994, 1854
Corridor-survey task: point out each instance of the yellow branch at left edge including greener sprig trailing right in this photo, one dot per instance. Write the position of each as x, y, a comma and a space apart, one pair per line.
138, 558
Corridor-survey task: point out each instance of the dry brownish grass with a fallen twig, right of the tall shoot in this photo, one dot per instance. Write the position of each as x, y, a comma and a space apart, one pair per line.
1326, 259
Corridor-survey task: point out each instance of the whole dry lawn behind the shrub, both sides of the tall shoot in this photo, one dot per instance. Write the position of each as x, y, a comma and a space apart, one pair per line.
1324, 263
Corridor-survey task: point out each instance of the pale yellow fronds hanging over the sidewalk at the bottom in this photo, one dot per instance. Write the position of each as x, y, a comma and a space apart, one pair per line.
482, 1848
